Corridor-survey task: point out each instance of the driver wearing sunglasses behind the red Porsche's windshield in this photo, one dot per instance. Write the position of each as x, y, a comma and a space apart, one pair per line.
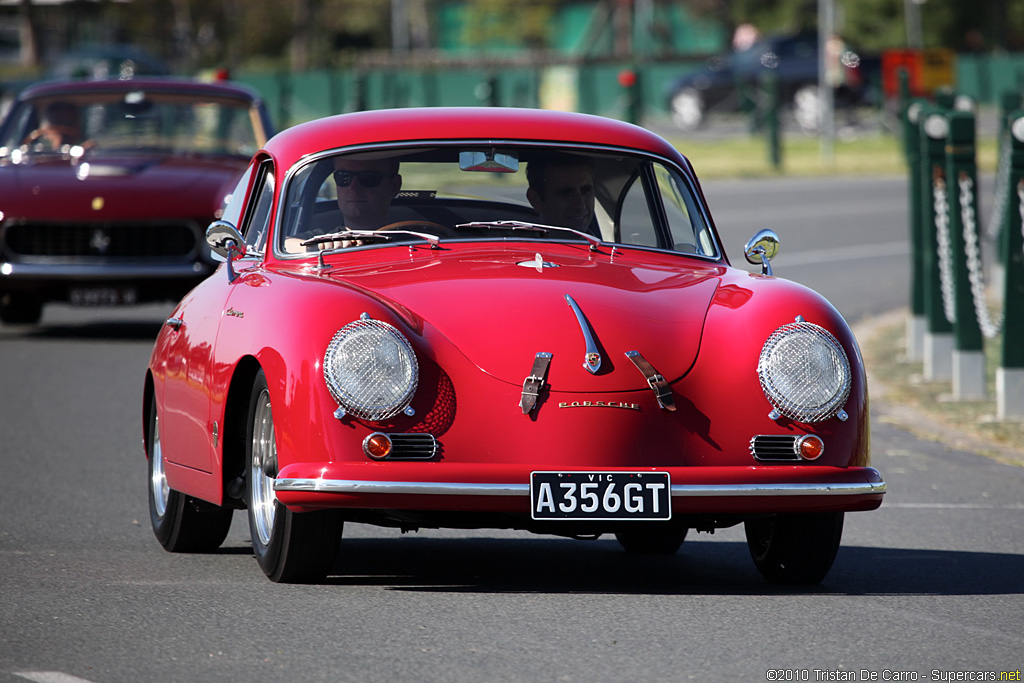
366, 189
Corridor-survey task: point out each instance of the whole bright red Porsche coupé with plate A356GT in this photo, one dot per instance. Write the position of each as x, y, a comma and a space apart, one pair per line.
544, 334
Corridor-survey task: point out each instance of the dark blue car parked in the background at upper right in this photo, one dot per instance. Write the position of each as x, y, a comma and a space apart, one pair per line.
728, 81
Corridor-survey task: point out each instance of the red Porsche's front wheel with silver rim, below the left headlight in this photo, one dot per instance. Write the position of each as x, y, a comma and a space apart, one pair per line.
291, 547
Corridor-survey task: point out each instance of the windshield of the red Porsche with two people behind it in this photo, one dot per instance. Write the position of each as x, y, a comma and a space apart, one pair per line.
473, 193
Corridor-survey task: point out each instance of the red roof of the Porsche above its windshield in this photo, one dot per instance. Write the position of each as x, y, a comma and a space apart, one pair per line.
494, 125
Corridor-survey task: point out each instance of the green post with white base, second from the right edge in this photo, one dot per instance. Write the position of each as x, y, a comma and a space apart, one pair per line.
962, 177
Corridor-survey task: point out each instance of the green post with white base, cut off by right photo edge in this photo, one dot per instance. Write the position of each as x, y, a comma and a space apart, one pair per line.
1010, 375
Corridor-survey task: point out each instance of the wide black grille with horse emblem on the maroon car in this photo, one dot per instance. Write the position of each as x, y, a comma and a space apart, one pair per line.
148, 240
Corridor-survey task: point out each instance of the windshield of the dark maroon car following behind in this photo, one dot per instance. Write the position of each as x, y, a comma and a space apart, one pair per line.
92, 123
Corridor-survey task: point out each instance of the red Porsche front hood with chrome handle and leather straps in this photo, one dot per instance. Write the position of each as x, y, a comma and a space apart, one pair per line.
500, 310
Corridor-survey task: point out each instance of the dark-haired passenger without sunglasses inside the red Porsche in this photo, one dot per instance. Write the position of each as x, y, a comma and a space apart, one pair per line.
562, 191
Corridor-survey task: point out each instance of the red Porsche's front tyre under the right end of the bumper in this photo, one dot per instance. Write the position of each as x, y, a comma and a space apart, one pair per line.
795, 548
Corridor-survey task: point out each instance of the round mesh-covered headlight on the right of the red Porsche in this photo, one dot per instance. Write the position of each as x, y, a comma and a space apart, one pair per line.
805, 373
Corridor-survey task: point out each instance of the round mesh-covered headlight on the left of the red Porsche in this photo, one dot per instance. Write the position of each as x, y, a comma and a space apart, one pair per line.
371, 370
